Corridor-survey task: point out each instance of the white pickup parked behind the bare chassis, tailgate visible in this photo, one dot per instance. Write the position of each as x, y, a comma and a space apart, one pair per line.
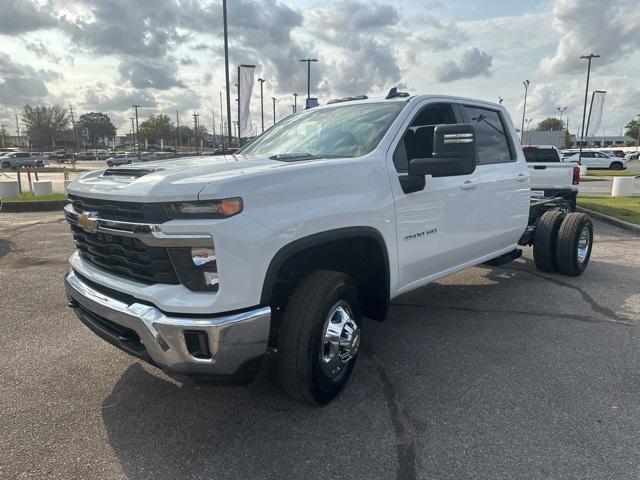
550, 177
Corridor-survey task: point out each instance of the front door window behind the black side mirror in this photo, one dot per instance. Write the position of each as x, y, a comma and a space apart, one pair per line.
417, 141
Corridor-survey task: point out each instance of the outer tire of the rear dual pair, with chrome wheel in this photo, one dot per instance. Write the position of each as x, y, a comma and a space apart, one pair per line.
574, 244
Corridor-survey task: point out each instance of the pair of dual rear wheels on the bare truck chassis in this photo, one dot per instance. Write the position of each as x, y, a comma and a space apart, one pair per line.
563, 243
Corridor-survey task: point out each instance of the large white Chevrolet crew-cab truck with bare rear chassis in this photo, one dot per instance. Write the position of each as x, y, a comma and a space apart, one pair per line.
201, 265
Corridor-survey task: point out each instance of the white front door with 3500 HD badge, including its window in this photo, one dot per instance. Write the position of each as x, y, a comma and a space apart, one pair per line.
435, 225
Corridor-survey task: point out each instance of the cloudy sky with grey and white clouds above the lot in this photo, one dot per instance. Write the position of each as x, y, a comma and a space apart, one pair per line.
105, 55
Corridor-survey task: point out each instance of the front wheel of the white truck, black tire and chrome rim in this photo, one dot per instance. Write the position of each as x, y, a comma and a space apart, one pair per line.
319, 337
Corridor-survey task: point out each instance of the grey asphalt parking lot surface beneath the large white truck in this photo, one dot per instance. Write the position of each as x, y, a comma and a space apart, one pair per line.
490, 373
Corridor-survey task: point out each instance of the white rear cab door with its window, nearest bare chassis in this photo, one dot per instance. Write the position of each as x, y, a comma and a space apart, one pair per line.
504, 181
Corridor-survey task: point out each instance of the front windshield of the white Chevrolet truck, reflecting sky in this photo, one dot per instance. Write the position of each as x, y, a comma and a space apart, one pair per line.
343, 131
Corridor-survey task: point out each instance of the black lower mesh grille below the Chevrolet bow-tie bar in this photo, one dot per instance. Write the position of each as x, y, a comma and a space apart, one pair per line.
126, 257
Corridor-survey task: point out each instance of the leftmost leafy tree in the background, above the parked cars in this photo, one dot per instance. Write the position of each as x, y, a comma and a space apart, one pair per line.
44, 124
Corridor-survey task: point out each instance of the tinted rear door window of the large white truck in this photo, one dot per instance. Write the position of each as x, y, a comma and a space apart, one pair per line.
491, 135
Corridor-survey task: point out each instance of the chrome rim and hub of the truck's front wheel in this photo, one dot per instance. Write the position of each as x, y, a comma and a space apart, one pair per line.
340, 340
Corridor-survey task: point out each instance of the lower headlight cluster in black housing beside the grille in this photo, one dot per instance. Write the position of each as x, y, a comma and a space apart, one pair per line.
197, 268
